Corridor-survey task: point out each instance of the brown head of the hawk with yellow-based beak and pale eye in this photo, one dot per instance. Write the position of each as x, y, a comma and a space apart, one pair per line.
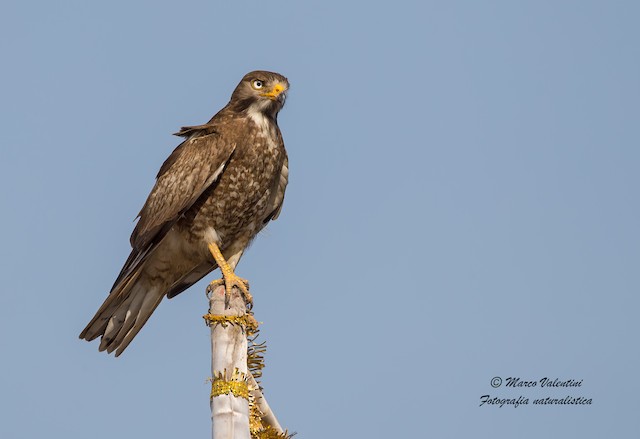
260, 91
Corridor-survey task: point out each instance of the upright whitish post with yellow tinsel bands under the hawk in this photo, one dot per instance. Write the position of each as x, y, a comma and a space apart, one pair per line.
229, 395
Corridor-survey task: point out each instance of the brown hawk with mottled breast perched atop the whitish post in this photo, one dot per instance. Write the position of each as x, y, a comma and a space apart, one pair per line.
212, 196
